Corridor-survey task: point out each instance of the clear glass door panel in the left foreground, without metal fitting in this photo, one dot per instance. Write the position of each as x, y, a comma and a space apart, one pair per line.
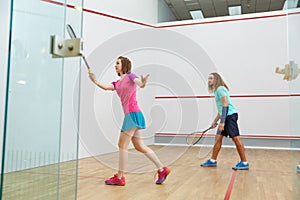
40, 142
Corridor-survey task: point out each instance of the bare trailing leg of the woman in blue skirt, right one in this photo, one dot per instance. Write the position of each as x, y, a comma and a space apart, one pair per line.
139, 145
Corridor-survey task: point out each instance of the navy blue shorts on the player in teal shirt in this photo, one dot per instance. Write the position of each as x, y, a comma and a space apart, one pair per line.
231, 128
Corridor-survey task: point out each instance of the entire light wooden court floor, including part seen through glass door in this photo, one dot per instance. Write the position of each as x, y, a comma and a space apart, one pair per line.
272, 175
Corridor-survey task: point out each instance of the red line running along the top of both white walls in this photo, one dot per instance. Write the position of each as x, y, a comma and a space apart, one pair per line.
174, 25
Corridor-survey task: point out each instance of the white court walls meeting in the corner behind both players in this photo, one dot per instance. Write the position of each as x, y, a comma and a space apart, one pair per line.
244, 49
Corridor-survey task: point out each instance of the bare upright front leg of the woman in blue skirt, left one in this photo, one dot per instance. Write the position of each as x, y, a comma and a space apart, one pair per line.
124, 141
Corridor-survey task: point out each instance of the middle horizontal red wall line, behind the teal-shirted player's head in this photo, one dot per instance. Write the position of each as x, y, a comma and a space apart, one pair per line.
232, 96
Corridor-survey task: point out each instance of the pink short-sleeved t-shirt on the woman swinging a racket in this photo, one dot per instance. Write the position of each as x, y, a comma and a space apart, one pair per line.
126, 89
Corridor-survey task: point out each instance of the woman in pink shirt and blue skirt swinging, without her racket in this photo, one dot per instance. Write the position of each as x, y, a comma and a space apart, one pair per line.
133, 120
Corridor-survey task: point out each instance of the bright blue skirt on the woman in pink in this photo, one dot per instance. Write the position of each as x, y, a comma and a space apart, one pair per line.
133, 120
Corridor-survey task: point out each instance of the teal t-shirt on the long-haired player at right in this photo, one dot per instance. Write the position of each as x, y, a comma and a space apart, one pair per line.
220, 92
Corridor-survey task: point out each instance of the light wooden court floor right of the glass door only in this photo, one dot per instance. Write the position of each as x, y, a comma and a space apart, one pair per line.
272, 175
